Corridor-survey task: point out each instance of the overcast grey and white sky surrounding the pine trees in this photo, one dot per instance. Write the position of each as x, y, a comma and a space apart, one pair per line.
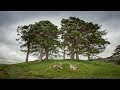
10, 20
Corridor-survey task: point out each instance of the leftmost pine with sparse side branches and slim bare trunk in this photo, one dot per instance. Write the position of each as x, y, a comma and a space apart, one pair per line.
25, 38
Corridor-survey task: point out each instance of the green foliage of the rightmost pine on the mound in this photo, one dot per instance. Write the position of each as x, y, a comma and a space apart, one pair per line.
94, 41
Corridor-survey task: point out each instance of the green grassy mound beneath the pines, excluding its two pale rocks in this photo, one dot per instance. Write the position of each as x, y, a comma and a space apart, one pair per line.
44, 70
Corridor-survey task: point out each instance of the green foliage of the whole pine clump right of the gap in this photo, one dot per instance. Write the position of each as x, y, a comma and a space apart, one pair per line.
81, 37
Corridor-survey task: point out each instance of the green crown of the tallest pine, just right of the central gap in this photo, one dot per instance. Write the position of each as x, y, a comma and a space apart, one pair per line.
71, 34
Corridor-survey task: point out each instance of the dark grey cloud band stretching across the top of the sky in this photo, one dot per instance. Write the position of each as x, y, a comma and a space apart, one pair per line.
8, 17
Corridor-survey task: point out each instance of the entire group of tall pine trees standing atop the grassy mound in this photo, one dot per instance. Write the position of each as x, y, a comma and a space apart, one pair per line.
75, 37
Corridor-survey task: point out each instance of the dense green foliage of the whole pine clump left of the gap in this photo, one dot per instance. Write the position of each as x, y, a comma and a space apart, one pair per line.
40, 37
